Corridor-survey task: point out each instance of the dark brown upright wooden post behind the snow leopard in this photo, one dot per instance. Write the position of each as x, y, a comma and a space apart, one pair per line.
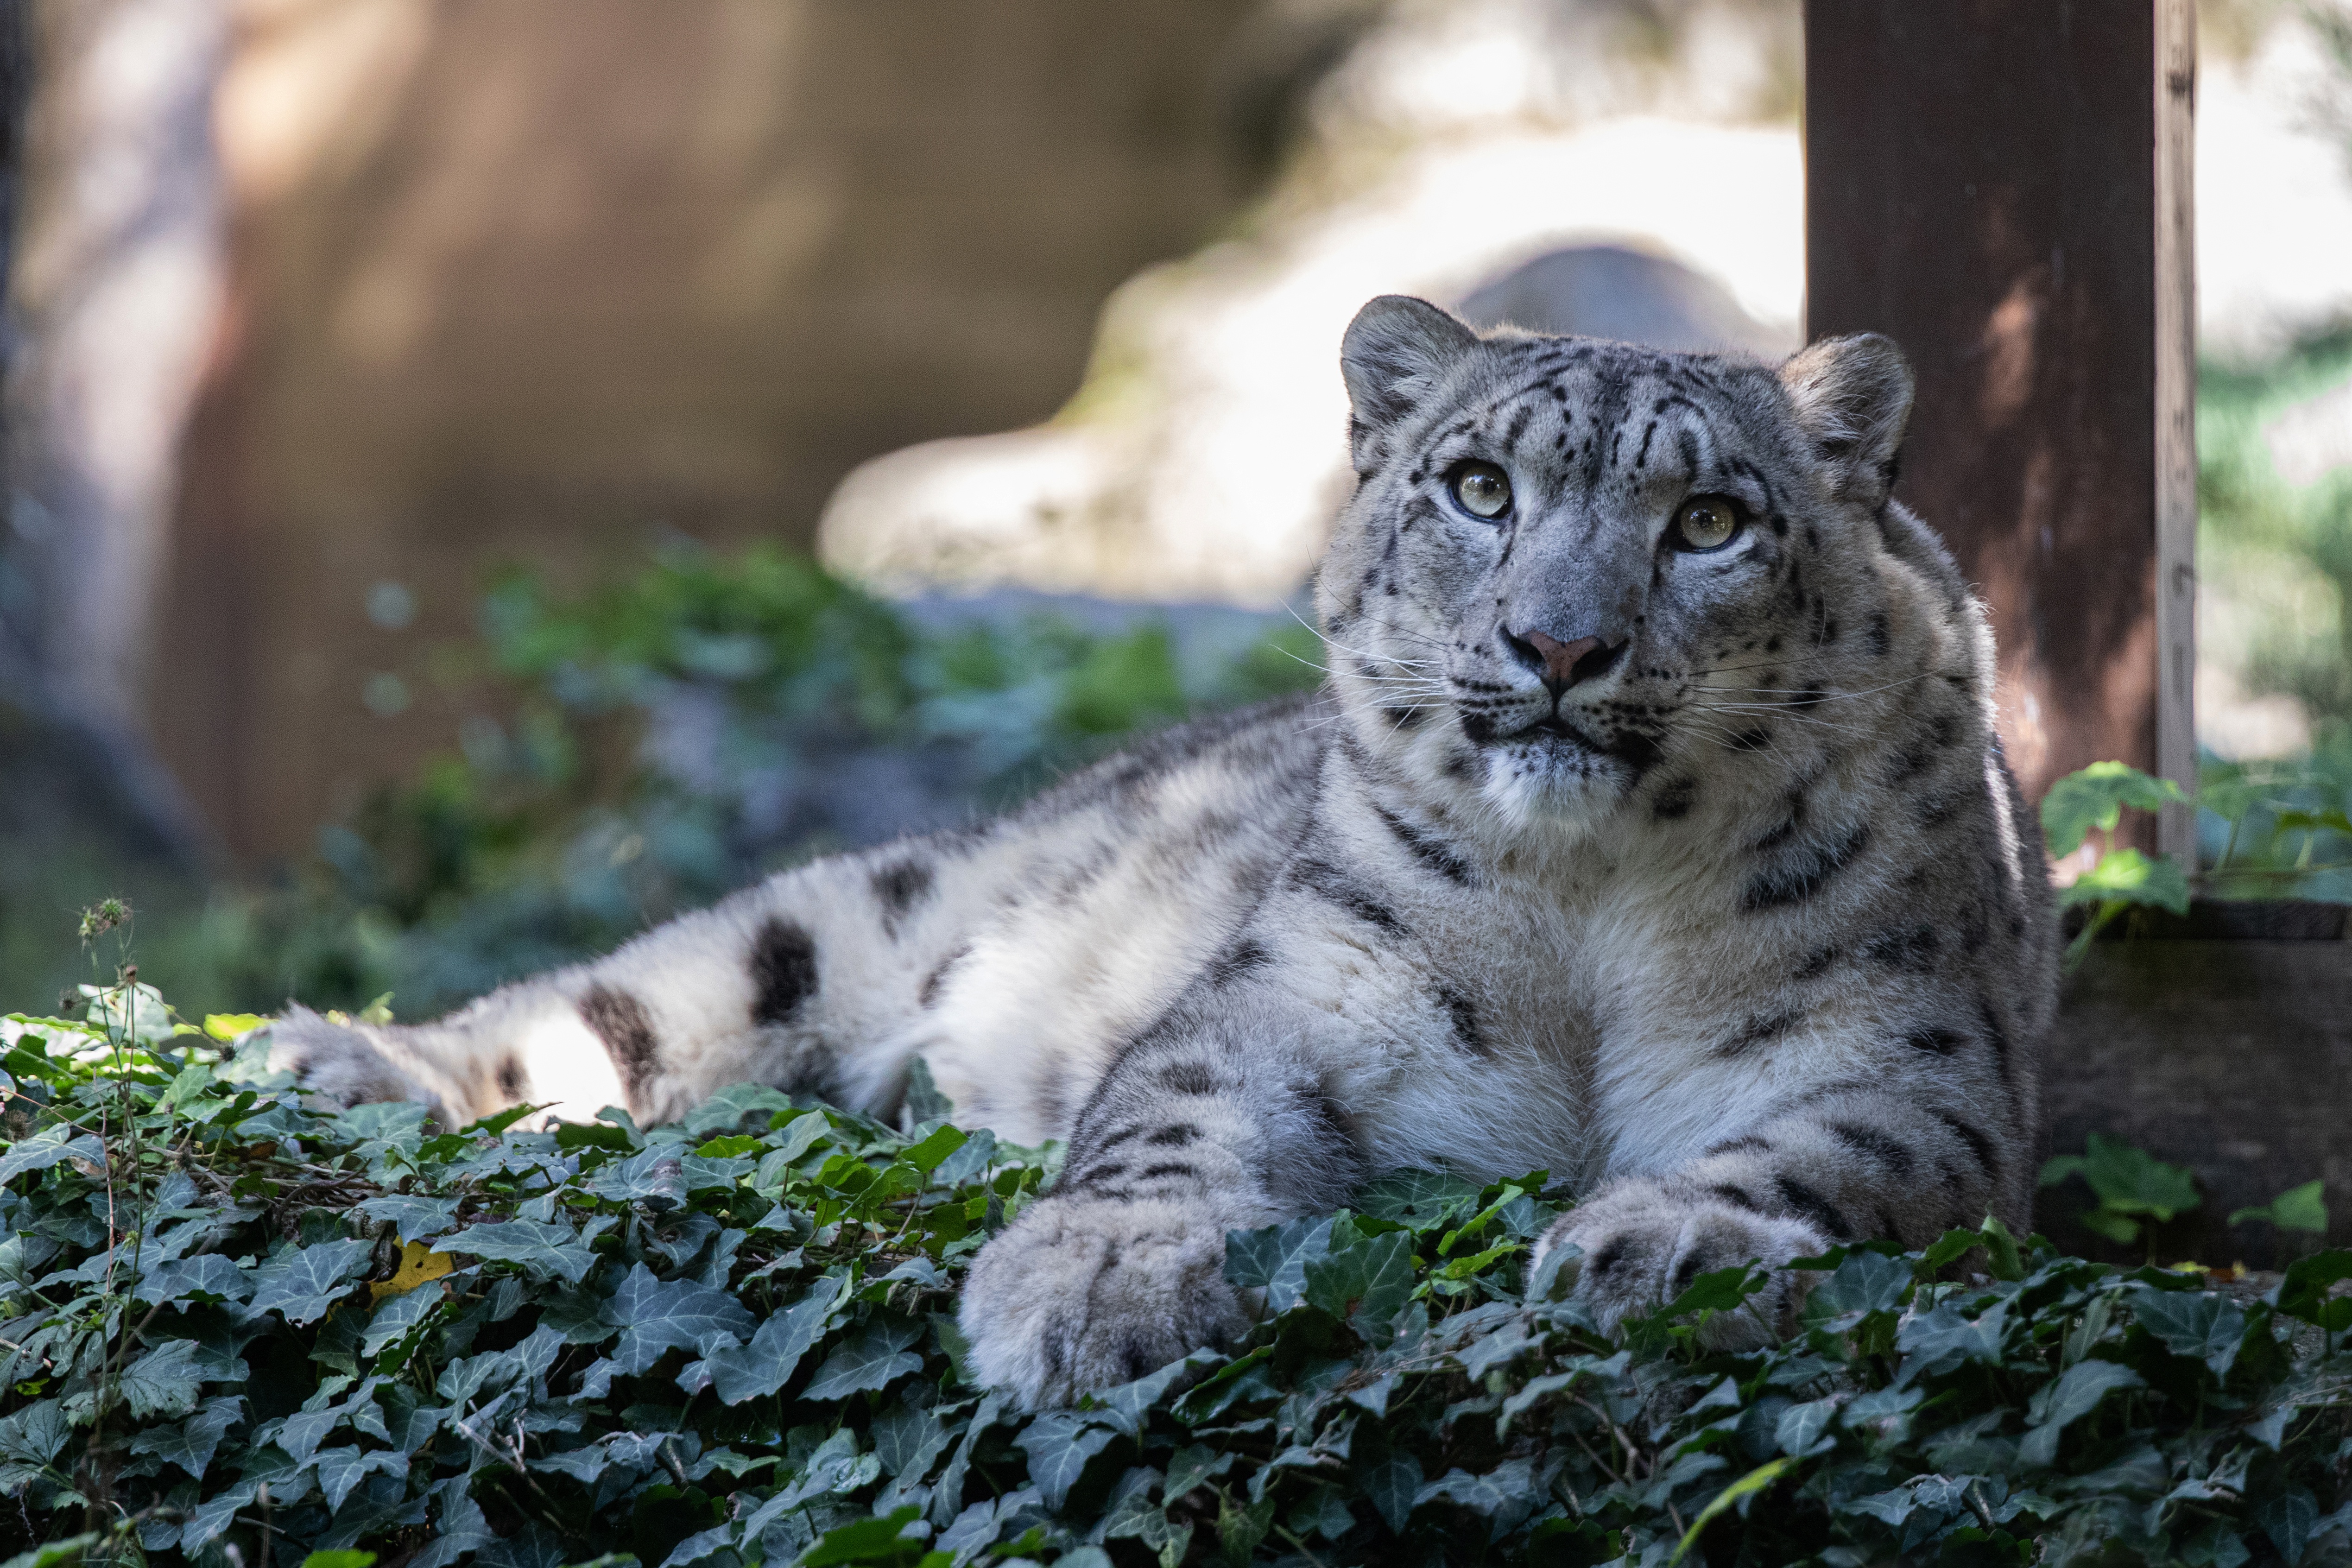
2005, 189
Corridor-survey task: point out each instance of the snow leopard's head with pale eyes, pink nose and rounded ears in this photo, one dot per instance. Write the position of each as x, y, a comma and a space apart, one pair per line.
1603, 565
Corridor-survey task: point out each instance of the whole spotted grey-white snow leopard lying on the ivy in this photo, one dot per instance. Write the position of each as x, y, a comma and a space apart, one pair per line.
1650, 831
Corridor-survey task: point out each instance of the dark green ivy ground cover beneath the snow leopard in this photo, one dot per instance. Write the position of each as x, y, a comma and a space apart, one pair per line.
241, 1332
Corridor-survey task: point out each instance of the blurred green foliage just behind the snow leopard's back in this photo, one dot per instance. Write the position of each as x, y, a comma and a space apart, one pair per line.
664, 742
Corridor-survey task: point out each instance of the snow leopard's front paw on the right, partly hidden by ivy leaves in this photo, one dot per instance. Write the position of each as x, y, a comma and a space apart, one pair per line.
1643, 1247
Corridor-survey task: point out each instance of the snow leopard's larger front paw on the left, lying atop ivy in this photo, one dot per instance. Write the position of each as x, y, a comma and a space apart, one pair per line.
1085, 1294
